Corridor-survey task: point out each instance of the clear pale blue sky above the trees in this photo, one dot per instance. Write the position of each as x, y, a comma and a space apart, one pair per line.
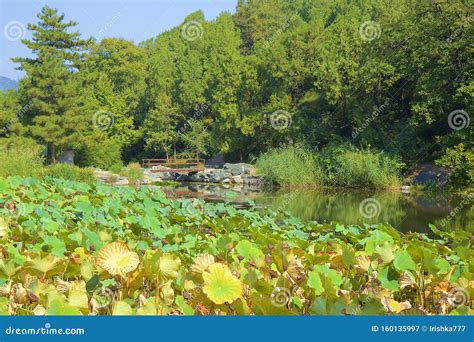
135, 20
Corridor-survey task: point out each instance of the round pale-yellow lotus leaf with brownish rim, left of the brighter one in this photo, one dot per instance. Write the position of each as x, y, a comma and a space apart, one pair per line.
117, 259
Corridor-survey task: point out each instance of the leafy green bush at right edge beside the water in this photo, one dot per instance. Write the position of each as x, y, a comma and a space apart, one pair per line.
461, 161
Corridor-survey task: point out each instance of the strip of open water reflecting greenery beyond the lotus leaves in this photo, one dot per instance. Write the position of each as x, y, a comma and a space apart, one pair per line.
404, 211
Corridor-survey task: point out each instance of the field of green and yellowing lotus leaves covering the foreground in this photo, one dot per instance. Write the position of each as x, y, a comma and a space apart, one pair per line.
69, 248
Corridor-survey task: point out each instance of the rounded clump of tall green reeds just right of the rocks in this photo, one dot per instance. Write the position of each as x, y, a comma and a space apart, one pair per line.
291, 165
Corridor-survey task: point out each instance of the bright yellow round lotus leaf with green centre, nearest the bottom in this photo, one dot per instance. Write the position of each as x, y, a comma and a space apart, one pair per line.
220, 285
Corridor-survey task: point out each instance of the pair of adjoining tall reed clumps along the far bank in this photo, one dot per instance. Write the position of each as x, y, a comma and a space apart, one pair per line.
295, 165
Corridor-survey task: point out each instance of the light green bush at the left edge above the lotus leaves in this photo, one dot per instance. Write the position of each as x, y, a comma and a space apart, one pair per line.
20, 159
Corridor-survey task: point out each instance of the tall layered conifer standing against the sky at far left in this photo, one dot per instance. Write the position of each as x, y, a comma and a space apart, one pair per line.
51, 83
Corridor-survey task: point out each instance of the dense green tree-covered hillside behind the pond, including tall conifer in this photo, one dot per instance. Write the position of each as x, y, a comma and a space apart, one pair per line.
376, 73
